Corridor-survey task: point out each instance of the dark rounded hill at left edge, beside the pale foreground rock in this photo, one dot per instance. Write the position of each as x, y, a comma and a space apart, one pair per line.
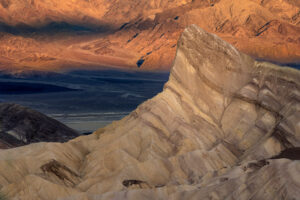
20, 126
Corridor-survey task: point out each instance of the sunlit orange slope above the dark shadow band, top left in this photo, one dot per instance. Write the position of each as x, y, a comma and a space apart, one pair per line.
92, 13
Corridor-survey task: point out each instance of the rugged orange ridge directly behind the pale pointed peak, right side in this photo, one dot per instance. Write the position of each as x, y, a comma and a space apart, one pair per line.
267, 30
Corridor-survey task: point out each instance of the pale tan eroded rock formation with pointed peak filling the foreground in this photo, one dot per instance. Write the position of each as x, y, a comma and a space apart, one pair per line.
224, 127
